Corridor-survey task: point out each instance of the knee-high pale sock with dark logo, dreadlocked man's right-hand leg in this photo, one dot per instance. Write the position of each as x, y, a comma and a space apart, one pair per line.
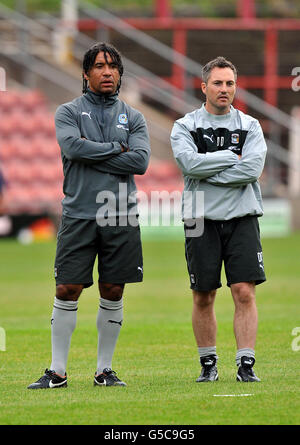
109, 322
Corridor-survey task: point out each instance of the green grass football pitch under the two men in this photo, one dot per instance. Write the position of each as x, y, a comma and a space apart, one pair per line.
156, 353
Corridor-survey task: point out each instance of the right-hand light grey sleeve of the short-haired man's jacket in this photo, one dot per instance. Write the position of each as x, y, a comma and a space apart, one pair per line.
251, 164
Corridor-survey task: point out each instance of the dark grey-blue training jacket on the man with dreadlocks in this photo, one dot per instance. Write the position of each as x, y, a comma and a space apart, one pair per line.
90, 131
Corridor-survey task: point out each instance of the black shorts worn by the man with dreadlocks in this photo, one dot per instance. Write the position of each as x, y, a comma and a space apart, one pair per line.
118, 248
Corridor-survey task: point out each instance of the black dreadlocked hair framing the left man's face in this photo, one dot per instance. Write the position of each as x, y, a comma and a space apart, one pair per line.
90, 56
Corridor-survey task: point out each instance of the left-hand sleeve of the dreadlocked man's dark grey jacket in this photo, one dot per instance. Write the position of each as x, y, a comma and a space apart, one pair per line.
76, 149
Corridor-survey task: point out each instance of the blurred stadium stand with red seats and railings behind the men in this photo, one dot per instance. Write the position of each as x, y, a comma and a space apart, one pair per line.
164, 45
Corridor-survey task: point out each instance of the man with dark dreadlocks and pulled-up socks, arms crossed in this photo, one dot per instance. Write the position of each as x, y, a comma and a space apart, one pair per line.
104, 142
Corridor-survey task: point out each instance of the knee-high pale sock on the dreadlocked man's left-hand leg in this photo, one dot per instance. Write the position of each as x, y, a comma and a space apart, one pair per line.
63, 323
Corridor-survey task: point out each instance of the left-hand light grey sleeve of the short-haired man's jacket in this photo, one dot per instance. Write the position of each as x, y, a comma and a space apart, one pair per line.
194, 164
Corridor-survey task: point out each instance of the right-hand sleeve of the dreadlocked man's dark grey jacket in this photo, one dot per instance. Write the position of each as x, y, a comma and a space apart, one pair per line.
135, 161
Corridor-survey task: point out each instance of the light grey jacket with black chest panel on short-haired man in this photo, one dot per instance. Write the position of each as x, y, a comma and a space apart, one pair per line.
206, 149
